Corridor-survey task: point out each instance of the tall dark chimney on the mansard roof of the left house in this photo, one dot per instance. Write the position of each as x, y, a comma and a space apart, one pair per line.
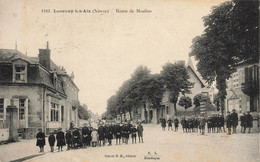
45, 57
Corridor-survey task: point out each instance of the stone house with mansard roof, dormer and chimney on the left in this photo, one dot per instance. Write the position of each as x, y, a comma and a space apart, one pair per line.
45, 95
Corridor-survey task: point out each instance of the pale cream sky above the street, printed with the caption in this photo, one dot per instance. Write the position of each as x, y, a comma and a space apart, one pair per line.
103, 49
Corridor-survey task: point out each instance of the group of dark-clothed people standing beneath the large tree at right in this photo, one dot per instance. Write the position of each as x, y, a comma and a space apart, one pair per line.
215, 123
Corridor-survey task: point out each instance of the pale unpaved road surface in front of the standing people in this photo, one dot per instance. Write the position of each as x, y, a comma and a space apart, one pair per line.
158, 146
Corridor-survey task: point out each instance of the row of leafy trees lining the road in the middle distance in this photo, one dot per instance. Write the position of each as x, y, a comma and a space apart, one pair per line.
145, 88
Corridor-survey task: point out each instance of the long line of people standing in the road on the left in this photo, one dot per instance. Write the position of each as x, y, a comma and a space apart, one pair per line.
88, 136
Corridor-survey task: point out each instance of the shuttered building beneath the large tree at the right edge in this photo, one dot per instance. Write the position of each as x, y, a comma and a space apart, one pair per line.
243, 88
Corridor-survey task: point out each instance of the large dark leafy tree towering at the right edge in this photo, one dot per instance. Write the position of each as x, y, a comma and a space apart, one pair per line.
231, 36
